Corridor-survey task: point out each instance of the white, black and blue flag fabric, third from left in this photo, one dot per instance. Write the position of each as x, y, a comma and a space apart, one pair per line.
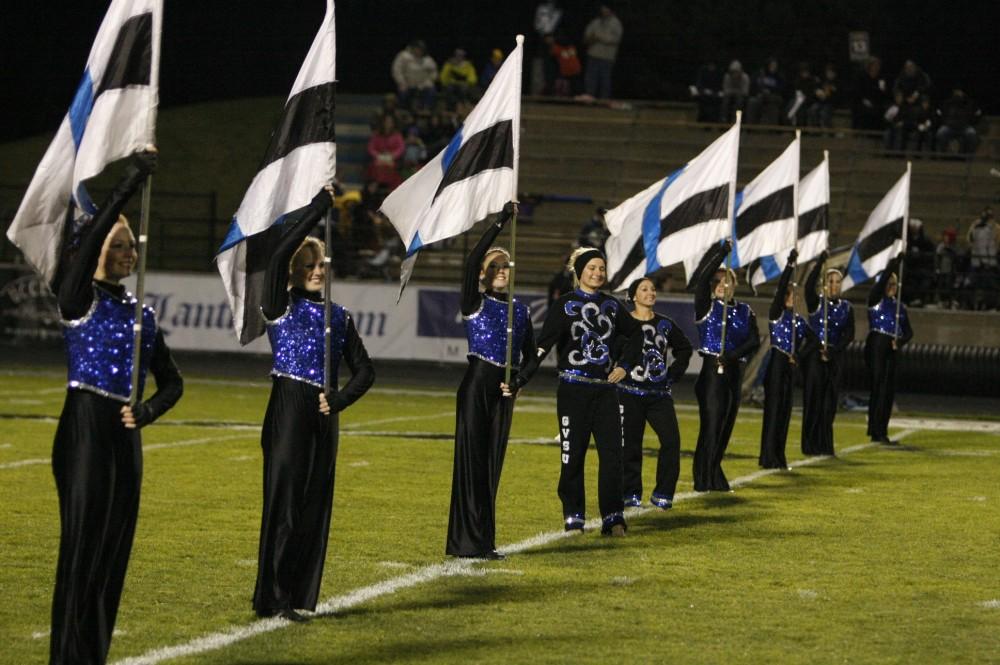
474, 176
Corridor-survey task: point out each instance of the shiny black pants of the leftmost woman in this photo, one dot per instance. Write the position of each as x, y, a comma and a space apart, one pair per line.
97, 464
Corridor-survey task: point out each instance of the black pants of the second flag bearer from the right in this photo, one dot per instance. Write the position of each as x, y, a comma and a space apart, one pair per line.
819, 402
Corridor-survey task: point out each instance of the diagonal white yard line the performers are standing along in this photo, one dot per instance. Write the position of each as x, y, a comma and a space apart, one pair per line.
427, 574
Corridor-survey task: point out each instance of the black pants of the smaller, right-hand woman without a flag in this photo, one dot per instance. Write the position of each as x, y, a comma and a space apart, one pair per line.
658, 411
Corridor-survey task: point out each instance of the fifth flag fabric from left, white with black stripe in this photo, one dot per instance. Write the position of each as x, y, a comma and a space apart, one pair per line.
765, 210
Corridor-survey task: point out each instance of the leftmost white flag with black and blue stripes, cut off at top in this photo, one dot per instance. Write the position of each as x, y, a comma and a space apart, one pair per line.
112, 115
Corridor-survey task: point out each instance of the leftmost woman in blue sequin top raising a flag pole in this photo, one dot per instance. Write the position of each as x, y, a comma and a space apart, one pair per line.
97, 455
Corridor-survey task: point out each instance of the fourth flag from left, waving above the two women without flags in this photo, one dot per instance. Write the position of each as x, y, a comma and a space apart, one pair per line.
675, 219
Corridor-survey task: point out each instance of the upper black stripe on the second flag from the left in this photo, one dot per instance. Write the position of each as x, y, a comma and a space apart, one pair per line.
307, 118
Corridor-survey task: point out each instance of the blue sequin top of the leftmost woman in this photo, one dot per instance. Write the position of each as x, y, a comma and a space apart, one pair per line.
99, 346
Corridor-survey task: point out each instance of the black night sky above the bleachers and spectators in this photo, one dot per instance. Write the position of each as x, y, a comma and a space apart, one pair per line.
218, 49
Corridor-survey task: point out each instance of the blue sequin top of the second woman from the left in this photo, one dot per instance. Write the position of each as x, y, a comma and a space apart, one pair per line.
297, 340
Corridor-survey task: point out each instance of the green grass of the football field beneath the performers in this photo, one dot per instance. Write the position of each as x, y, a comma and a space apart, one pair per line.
879, 556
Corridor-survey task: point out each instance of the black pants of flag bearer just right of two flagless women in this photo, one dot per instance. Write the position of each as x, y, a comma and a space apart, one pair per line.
718, 403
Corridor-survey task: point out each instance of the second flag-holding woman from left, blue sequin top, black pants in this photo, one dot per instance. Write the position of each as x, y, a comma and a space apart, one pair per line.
301, 427
